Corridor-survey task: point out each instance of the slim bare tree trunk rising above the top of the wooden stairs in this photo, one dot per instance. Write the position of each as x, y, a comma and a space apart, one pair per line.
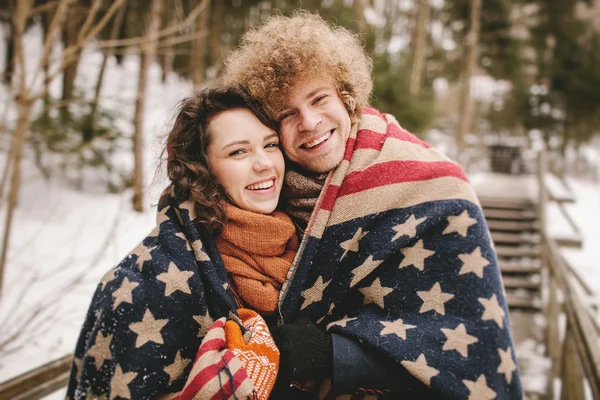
466, 105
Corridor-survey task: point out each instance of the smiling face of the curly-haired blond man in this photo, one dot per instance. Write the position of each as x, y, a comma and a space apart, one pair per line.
315, 125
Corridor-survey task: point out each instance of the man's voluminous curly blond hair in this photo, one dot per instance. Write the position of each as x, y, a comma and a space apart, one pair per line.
284, 51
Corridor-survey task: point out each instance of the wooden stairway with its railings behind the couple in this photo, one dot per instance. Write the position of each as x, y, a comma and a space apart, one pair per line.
540, 285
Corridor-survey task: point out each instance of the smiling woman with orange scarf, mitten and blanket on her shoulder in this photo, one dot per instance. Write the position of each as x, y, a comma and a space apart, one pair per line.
219, 245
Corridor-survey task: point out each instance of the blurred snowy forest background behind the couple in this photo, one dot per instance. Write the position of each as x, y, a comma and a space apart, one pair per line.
82, 80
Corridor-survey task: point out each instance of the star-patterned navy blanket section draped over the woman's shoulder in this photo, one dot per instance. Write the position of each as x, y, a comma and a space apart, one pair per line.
150, 313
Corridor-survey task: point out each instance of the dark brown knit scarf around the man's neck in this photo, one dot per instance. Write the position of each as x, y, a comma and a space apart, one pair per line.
300, 191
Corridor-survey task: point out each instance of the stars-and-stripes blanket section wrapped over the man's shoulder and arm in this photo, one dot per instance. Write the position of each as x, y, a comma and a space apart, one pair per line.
397, 256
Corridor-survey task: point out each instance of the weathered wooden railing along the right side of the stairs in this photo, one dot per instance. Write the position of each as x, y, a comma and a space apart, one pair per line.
572, 342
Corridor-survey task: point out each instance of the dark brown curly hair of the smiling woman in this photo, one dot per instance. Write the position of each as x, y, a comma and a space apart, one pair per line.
187, 144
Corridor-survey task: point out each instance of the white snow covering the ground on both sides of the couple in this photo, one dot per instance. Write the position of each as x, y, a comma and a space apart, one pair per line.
64, 240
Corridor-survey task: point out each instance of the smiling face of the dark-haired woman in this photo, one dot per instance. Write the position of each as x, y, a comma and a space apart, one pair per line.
245, 158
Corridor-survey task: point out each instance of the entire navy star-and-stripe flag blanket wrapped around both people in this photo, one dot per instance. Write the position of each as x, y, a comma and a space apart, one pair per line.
397, 257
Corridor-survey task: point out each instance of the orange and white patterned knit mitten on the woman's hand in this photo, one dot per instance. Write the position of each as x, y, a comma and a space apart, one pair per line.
259, 355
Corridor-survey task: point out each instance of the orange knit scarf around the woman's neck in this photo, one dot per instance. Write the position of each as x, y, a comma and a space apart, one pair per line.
257, 251
